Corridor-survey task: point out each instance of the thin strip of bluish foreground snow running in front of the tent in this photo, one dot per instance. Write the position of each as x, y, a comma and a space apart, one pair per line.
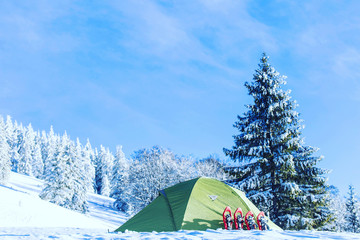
81, 233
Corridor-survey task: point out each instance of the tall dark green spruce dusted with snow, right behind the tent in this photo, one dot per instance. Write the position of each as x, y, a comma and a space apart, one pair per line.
269, 146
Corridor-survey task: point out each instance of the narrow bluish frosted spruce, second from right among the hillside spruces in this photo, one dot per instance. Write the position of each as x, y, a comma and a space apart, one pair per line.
103, 171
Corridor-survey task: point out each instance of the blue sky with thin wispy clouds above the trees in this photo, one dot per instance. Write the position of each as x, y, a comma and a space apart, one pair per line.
172, 73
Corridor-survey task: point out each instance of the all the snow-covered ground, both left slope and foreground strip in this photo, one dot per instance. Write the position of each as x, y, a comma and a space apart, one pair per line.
23, 215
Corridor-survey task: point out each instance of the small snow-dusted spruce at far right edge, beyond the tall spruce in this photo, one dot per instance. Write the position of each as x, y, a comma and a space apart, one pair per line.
352, 216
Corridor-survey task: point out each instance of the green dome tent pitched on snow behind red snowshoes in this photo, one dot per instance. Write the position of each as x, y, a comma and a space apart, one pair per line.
197, 204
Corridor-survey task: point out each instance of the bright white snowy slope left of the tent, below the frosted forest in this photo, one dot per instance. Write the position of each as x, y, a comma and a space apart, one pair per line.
20, 206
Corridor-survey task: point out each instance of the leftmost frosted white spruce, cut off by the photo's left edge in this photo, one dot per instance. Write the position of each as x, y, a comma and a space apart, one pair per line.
5, 164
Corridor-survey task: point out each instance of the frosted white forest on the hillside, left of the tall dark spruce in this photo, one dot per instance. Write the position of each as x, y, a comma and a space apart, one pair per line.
72, 169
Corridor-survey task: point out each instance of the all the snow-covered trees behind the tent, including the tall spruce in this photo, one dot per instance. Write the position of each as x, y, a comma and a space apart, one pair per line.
275, 168
